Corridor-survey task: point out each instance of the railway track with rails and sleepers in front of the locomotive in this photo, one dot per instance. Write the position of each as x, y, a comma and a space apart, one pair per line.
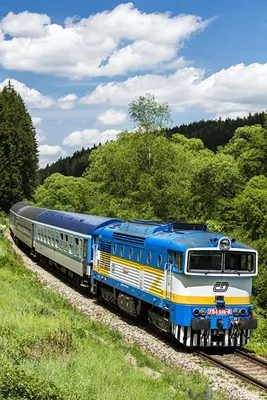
249, 368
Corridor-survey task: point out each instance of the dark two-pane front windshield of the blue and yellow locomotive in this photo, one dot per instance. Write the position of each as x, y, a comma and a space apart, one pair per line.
221, 262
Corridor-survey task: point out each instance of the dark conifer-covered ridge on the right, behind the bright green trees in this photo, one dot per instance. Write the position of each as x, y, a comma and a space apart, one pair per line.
214, 133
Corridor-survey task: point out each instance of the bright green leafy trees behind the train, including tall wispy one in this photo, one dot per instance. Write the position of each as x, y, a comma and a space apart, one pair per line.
152, 174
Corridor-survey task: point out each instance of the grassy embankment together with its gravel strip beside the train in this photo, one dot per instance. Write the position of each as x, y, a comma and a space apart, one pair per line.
50, 347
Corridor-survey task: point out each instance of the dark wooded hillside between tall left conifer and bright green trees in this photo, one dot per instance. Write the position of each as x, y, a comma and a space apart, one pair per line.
74, 165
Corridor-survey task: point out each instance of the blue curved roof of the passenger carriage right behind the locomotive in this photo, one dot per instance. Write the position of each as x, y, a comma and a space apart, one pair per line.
82, 223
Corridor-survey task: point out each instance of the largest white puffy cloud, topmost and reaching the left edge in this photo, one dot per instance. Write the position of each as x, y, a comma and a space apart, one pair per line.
108, 43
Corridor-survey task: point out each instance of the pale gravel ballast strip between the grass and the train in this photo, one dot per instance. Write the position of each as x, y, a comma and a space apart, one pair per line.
219, 380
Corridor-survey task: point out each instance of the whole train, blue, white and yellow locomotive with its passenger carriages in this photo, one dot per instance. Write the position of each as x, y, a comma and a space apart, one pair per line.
182, 278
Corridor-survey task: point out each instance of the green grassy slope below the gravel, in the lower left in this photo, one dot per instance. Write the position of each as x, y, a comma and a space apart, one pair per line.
50, 351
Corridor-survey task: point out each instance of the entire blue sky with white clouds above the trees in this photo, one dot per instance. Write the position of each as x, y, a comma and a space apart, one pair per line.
77, 65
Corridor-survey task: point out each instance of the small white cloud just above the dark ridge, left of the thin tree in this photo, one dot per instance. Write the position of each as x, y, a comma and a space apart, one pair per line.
89, 137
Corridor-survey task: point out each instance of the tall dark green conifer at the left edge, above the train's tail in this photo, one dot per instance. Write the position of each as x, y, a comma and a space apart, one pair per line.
18, 150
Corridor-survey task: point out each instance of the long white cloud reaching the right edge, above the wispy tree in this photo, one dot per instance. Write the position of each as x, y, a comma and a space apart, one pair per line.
232, 92
